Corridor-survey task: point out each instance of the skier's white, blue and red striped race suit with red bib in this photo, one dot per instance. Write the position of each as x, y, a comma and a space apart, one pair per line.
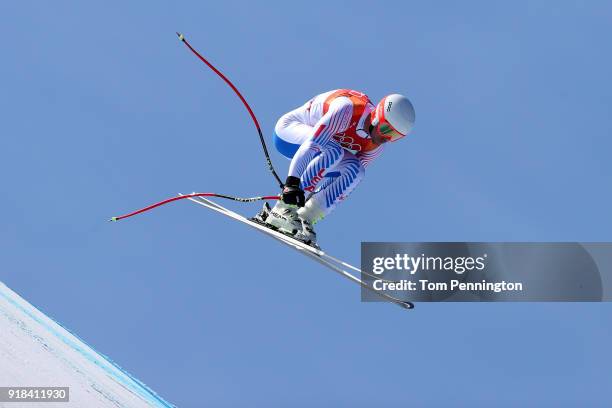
328, 147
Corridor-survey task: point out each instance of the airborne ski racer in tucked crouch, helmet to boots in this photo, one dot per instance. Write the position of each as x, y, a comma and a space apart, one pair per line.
331, 139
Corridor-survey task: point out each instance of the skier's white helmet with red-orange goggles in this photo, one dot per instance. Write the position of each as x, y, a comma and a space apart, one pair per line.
394, 117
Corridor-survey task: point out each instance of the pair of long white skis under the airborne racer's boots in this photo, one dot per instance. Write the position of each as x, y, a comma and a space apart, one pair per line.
315, 254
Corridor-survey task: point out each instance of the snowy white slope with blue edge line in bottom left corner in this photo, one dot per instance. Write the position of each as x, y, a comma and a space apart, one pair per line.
37, 351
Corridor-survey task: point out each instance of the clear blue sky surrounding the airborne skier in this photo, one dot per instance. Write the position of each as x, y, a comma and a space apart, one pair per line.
104, 111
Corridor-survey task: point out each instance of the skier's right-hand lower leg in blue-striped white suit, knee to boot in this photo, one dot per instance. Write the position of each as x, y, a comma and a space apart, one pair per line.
351, 171
